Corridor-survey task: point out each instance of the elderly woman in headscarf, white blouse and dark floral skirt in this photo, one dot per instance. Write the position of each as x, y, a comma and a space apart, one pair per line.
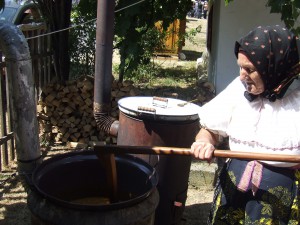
258, 112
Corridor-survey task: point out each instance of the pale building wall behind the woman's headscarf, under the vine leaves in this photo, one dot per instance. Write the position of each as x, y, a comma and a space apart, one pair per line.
230, 23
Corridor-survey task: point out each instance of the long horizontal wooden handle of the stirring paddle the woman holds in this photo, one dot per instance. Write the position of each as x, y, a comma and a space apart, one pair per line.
158, 150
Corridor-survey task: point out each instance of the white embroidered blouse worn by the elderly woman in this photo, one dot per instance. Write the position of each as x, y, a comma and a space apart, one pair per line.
258, 126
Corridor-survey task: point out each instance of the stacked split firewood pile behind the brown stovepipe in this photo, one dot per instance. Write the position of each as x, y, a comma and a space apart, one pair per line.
65, 112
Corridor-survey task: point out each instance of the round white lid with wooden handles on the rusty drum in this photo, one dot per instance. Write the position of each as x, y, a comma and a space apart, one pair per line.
159, 108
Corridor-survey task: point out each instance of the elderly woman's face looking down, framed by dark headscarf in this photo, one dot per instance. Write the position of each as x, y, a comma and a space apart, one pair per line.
249, 76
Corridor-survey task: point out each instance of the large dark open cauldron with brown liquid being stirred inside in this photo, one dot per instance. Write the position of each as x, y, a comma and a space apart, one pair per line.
70, 189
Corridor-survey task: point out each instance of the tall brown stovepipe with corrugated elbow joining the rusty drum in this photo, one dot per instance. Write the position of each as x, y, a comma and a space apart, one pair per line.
103, 67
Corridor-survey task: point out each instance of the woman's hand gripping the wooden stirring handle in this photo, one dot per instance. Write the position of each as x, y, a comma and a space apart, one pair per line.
203, 150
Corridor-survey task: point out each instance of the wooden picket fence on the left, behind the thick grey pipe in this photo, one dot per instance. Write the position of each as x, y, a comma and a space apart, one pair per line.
43, 72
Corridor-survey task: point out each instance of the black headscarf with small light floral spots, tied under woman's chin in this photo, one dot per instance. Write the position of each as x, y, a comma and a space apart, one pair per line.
273, 51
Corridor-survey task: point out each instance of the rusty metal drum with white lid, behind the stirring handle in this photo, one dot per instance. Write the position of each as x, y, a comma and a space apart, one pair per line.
155, 121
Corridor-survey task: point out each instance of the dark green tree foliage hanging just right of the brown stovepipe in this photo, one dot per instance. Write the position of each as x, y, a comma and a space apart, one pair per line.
135, 27
